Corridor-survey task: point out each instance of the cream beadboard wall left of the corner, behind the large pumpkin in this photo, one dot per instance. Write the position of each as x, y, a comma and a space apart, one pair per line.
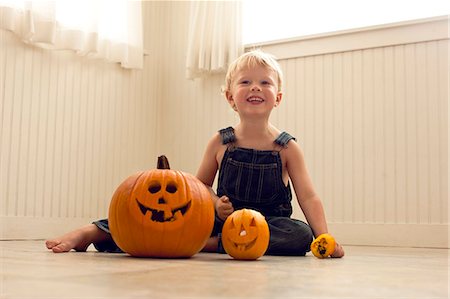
71, 129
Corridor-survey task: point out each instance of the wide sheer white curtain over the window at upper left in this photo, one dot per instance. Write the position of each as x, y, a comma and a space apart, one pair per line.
108, 29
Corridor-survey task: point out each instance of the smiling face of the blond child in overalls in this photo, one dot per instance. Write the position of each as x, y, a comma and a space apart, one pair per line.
254, 91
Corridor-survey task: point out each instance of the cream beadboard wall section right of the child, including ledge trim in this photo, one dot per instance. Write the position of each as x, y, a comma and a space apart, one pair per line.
371, 111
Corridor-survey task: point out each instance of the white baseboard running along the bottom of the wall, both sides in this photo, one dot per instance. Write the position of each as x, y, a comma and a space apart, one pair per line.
398, 235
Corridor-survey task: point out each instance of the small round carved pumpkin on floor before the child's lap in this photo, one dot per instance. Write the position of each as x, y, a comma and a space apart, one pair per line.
245, 235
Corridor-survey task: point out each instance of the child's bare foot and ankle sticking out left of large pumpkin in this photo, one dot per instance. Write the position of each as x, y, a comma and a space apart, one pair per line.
79, 239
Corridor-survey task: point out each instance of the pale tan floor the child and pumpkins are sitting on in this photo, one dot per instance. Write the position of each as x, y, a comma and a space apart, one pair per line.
29, 270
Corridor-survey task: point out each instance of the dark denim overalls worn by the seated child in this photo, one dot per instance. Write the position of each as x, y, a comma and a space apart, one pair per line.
253, 179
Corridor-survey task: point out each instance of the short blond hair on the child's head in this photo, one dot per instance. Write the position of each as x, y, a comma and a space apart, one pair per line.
251, 59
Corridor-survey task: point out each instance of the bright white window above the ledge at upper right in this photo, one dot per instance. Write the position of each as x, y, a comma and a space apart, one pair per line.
266, 20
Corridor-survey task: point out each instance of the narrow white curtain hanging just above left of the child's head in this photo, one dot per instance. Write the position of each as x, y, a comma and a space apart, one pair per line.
215, 37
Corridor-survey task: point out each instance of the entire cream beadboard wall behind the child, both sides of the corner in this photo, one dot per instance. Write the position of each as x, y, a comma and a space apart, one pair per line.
368, 107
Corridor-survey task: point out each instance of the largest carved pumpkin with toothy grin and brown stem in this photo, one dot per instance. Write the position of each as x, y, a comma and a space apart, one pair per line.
161, 213
